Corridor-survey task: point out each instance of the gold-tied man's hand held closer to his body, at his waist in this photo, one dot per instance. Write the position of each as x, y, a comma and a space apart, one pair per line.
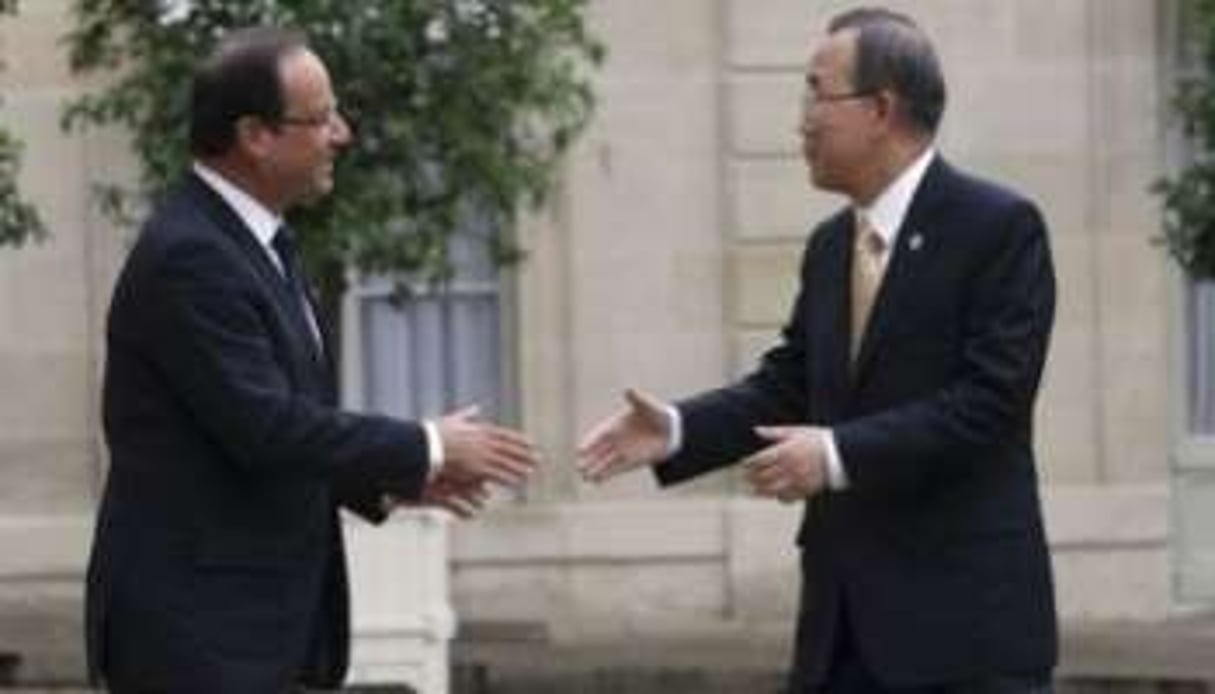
793, 469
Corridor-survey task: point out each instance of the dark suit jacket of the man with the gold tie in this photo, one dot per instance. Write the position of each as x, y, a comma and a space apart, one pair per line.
937, 549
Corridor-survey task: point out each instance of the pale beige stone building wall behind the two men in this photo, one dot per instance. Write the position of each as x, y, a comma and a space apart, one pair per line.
668, 261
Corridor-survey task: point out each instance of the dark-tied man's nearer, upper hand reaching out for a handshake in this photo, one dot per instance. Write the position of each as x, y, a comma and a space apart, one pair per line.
481, 452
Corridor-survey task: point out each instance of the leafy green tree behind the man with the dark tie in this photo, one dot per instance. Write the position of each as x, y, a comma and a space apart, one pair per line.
457, 106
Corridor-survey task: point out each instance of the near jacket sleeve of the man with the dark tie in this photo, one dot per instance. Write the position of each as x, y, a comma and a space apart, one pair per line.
213, 343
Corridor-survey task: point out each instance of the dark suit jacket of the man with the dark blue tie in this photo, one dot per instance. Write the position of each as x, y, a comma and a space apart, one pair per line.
218, 562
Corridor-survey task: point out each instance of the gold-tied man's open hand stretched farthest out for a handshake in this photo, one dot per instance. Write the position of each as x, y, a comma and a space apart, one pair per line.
632, 438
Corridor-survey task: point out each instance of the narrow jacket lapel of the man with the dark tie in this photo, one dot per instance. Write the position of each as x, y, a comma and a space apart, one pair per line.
235, 229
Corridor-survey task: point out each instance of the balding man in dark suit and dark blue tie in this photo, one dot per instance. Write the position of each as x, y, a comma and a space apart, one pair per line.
218, 565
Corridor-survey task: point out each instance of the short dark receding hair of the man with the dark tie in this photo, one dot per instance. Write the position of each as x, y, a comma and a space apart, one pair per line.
240, 78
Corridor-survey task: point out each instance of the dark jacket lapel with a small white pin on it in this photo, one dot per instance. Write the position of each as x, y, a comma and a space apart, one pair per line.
914, 245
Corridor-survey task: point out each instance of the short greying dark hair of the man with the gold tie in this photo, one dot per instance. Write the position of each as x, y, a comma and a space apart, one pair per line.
894, 53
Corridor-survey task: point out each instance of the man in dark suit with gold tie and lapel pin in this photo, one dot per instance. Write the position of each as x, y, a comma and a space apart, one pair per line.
898, 405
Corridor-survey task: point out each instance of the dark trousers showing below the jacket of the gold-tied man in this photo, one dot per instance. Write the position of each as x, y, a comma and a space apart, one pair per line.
850, 675
